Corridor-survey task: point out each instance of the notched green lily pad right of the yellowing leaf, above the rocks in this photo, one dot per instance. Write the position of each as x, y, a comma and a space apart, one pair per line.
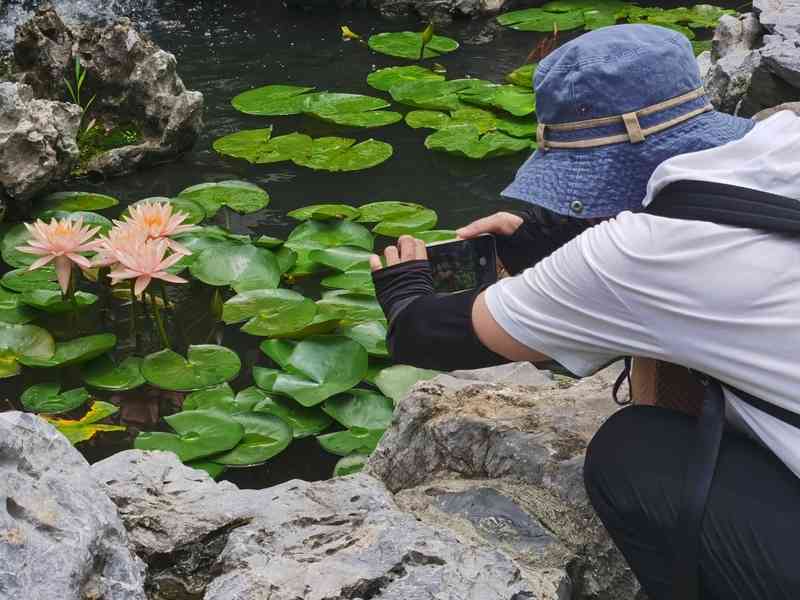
199, 433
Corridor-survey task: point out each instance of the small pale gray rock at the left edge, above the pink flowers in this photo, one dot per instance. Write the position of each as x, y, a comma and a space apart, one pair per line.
37, 141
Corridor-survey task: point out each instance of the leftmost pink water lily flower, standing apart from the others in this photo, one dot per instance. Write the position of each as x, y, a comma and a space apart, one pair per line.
62, 241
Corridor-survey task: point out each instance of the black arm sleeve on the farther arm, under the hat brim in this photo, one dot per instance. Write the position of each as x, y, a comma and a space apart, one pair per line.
542, 232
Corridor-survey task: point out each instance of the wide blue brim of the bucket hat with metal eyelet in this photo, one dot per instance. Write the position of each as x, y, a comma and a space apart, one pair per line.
604, 181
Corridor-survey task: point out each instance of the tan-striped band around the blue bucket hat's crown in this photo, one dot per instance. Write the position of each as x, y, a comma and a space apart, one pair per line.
634, 132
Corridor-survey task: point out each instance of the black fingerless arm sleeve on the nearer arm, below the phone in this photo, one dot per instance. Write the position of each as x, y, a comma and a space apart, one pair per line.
429, 330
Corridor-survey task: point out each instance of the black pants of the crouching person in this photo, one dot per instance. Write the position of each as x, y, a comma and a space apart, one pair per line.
751, 531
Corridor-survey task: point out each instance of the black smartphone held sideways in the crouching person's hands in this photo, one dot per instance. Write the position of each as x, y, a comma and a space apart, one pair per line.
459, 265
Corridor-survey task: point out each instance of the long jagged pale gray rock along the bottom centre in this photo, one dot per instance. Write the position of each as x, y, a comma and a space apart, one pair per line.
343, 538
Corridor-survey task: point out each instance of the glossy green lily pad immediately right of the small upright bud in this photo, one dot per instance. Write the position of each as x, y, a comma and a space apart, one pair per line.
269, 312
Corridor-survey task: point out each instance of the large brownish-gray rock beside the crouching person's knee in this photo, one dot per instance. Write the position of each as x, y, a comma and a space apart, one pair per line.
501, 465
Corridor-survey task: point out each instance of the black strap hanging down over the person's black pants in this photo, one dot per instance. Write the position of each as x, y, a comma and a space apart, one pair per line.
696, 487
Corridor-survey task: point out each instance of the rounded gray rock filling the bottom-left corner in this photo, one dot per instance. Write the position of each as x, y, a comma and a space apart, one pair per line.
60, 536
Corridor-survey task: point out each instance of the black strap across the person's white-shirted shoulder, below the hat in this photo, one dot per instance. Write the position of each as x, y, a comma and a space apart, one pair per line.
727, 205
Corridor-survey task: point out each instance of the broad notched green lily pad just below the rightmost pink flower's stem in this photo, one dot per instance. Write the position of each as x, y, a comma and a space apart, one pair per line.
205, 365
